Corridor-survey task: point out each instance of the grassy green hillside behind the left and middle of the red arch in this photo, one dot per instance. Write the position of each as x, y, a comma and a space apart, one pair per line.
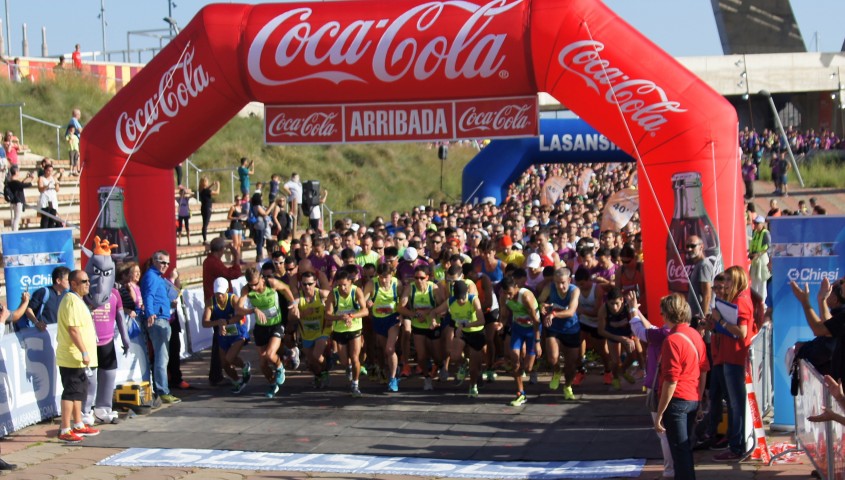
377, 178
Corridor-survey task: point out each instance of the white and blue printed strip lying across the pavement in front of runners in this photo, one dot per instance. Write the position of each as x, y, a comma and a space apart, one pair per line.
368, 464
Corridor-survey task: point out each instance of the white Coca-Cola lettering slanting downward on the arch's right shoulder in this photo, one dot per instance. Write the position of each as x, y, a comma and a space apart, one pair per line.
642, 100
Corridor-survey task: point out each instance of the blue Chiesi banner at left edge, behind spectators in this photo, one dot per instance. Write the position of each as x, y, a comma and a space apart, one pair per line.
30, 257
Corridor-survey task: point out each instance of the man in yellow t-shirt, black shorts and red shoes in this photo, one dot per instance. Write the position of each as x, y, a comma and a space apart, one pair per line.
76, 355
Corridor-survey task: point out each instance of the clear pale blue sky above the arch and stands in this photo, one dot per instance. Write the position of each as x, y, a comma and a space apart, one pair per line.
681, 27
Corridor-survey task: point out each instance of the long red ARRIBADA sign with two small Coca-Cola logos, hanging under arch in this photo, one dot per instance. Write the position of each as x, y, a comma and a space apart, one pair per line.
402, 122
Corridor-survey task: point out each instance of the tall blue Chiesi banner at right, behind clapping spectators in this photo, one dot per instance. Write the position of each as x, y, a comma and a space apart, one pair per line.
806, 250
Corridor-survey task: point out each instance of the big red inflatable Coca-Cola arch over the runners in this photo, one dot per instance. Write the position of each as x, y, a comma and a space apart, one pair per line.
346, 52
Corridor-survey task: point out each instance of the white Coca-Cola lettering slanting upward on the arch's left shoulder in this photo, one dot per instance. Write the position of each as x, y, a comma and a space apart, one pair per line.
180, 84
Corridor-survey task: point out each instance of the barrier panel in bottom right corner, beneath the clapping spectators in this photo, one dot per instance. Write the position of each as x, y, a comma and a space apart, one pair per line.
821, 441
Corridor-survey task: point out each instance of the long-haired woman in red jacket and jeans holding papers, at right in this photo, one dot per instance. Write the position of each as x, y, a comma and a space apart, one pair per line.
729, 346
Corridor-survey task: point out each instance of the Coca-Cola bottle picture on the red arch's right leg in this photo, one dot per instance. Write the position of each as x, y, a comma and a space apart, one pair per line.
690, 218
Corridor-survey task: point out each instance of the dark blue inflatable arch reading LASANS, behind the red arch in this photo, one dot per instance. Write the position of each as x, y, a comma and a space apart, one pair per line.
487, 176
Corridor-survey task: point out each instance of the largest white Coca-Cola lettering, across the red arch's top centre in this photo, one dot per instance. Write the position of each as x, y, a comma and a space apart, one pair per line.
469, 53
